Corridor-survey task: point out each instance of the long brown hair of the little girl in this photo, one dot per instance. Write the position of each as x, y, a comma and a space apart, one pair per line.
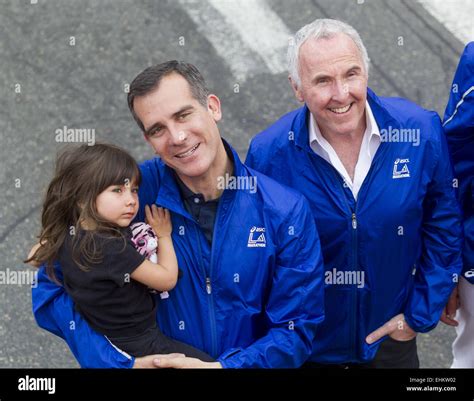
82, 173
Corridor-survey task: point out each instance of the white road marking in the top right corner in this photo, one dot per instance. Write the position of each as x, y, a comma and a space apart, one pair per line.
456, 15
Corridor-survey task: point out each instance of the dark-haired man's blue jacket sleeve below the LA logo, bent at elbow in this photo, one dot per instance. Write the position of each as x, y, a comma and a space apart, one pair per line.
295, 305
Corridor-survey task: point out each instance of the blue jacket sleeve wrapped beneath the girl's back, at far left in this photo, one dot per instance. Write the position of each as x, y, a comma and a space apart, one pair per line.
54, 311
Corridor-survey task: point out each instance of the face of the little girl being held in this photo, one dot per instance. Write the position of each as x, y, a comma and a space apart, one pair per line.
118, 203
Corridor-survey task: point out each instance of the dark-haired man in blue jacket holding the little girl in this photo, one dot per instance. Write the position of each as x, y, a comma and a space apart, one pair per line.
251, 291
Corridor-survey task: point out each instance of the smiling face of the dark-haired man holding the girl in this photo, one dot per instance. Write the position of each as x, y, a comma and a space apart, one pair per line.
181, 130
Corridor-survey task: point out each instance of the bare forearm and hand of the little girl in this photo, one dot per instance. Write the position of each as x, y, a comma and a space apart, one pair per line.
164, 275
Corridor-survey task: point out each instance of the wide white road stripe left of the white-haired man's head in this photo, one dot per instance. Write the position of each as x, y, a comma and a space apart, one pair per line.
256, 44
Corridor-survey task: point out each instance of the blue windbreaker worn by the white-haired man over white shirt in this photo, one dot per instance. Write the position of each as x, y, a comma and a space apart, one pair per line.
403, 233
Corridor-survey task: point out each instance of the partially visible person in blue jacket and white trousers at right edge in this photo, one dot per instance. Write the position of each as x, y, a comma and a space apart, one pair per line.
459, 128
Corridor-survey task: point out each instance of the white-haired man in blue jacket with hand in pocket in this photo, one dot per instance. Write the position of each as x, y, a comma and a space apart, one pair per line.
378, 176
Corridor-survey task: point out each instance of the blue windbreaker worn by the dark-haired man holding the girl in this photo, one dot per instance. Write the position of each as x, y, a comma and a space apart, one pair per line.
253, 299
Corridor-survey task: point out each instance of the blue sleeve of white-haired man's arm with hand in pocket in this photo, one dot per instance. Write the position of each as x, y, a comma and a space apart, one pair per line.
440, 262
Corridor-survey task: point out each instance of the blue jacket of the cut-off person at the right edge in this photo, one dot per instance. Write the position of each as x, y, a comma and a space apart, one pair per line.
459, 128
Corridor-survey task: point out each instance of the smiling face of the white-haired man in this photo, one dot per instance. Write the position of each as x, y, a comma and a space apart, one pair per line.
333, 84
